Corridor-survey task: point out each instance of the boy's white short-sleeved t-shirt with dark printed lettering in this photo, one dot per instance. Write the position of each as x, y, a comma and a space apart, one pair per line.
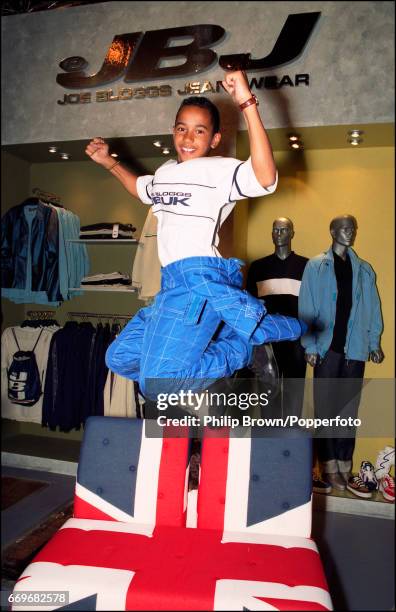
192, 199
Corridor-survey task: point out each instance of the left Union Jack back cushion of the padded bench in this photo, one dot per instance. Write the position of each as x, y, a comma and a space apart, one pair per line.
125, 475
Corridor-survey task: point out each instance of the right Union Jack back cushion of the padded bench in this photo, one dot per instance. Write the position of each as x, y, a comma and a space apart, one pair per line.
255, 484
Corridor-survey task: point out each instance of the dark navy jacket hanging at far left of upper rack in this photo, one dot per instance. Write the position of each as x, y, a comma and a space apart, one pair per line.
42, 238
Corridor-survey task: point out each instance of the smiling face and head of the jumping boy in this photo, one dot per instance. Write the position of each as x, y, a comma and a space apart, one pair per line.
193, 133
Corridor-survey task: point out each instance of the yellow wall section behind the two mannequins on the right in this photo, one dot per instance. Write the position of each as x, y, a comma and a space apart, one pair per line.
314, 187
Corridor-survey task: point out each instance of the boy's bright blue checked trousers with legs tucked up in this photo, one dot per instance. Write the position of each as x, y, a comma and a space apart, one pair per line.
175, 338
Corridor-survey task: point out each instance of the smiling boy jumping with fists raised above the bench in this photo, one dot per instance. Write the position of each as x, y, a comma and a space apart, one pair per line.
201, 326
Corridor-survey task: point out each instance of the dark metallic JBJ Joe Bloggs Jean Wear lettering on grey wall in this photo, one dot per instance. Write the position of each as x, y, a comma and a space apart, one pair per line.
137, 56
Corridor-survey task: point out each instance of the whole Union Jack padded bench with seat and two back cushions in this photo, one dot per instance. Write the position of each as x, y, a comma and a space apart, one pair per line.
128, 547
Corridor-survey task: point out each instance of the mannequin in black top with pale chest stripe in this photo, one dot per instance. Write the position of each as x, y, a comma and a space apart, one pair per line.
277, 279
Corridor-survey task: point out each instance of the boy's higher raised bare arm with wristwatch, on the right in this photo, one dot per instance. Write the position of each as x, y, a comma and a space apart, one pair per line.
236, 84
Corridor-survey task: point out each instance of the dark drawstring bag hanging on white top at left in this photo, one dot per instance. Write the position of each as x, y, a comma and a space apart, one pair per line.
24, 383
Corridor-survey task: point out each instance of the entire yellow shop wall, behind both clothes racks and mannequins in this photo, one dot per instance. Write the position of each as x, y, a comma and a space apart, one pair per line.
314, 186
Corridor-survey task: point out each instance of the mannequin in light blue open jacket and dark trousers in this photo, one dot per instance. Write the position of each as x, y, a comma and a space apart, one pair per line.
344, 333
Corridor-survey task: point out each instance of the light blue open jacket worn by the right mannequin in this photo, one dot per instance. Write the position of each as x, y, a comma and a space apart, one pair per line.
317, 307
